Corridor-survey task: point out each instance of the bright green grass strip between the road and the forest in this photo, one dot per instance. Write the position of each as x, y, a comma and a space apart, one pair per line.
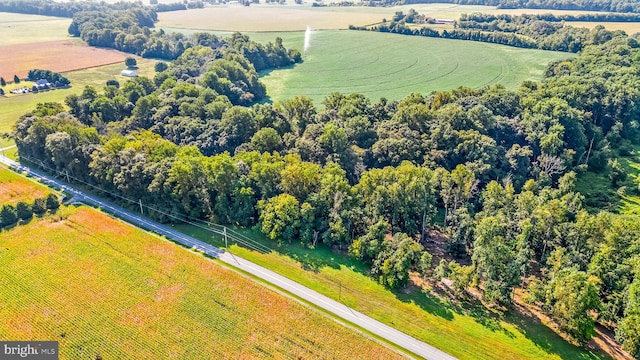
466, 330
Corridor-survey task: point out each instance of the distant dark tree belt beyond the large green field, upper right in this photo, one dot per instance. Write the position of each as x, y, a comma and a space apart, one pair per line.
546, 32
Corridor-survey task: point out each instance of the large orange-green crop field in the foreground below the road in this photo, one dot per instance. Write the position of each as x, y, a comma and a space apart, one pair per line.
99, 286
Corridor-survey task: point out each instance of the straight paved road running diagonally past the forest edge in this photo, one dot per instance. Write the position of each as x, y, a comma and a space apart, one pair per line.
386, 332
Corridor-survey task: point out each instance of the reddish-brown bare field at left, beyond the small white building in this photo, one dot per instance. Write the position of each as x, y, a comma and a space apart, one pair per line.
60, 56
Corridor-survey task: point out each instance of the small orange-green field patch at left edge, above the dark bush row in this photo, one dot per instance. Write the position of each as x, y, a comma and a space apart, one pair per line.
15, 188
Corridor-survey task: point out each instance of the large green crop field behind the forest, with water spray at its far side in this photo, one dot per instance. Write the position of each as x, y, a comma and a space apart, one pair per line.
393, 66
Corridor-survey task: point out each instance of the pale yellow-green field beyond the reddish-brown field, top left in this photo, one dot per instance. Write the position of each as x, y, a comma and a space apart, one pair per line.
27, 29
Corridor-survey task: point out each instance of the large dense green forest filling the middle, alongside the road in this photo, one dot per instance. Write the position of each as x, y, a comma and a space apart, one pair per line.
493, 170
